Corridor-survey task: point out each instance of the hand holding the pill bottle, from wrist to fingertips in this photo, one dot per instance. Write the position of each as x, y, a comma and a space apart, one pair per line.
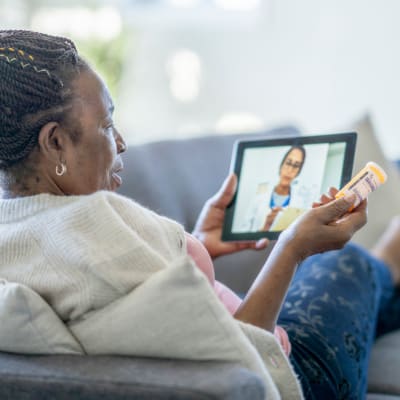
328, 226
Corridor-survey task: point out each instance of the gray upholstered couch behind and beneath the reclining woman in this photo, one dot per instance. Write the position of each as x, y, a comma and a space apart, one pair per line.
174, 178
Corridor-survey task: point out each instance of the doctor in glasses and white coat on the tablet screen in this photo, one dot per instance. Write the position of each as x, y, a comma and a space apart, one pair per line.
270, 199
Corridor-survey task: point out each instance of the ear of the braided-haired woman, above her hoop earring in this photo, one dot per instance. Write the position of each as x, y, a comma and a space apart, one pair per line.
52, 141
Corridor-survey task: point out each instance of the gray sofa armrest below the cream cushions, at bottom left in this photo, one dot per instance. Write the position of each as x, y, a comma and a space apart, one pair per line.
123, 378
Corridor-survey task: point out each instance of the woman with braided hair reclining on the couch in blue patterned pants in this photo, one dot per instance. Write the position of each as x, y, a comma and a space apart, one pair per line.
81, 247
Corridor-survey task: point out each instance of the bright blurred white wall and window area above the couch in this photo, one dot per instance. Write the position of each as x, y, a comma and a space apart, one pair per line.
179, 68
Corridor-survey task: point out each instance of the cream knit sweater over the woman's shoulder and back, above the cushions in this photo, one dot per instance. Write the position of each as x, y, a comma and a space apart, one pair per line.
78, 252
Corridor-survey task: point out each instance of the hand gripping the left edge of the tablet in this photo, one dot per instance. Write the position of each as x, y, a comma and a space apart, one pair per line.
208, 228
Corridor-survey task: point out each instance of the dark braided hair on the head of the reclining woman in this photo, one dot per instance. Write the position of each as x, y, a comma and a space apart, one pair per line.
36, 72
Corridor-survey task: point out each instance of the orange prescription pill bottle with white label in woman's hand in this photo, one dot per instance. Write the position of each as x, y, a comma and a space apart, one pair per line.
365, 182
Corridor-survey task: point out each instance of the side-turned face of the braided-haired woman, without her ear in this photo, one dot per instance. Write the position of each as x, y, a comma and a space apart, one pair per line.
94, 161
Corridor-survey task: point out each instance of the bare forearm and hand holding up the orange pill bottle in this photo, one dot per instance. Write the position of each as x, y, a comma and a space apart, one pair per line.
323, 228
